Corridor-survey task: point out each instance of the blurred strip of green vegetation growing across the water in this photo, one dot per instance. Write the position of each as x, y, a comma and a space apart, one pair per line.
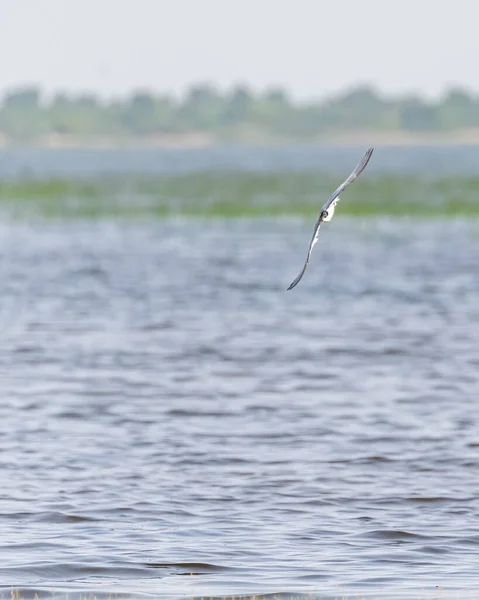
239, 194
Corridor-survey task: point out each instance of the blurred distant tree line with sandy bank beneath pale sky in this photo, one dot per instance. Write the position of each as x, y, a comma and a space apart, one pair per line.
239, 113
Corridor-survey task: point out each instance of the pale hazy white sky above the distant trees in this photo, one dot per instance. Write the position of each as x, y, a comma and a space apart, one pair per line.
311, 47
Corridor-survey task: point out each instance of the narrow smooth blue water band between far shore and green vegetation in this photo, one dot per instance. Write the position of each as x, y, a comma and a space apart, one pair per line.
45, 163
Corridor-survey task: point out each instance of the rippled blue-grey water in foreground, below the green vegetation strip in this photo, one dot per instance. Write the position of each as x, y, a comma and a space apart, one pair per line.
175, 423
